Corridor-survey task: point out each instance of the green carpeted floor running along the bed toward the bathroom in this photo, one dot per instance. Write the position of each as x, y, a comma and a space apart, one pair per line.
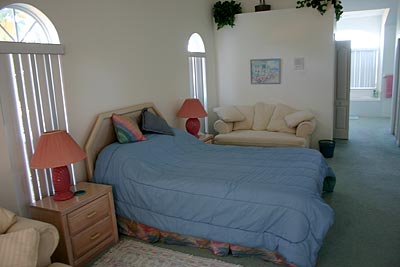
366, 201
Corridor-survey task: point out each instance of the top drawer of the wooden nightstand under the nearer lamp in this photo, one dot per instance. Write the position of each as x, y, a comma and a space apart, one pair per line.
88, 215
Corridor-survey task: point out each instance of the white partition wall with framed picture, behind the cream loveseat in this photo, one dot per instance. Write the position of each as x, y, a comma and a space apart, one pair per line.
285, 34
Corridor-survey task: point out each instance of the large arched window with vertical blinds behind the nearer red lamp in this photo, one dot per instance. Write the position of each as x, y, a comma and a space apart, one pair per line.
32, 91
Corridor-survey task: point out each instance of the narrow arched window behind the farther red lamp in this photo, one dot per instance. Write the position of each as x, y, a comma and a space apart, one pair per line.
197, 72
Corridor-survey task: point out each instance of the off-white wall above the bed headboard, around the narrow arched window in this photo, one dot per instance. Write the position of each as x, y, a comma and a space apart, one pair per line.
123, 52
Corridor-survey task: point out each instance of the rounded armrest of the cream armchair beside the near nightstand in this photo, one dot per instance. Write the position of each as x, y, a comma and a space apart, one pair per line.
48, 237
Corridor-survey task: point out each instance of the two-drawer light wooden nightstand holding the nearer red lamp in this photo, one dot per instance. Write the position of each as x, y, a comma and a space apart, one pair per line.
86, 223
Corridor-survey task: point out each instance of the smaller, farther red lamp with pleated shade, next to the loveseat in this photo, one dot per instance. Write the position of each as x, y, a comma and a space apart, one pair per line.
192, 109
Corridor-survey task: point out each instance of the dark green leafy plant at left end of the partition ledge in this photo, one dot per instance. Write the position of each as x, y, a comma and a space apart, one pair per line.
224, 13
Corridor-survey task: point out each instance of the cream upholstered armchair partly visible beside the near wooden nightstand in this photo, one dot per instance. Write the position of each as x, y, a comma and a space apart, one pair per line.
25, 242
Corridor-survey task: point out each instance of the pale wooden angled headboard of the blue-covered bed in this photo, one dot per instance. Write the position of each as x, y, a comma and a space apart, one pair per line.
103, 134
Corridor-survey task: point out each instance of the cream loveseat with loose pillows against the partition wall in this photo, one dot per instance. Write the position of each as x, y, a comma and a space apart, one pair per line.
264, 125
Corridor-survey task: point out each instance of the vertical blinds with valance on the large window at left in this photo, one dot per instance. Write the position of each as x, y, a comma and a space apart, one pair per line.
32, 99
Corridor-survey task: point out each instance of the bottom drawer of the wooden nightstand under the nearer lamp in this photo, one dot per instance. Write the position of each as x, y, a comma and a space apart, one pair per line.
89, 238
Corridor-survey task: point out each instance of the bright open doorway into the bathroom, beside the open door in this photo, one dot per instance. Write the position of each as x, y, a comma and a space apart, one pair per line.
372, 54
